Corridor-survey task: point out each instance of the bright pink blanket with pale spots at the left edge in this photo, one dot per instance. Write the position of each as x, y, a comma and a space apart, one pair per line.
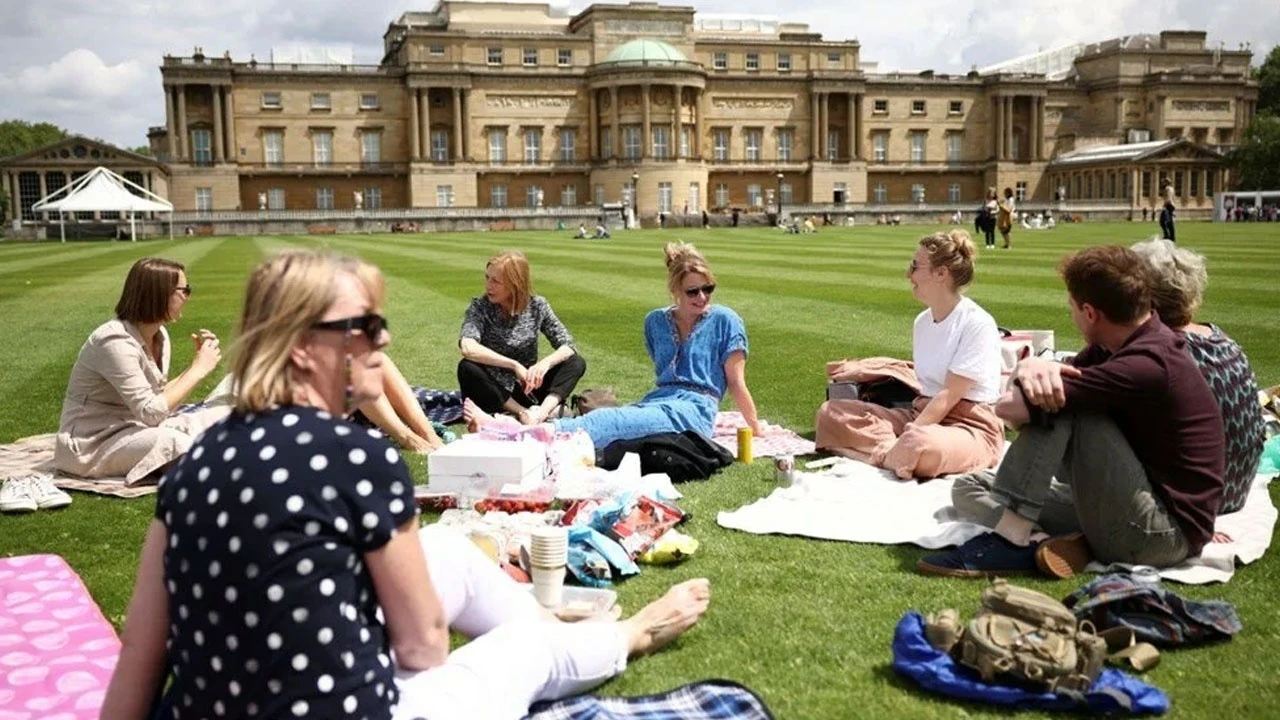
57, 650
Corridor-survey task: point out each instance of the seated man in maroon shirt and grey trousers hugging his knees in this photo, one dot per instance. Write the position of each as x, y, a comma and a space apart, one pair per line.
1121, 453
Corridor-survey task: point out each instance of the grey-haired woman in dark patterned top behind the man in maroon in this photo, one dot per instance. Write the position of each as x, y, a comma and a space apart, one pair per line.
1178, 280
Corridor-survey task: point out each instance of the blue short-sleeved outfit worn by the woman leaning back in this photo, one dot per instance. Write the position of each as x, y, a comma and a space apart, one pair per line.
691, 379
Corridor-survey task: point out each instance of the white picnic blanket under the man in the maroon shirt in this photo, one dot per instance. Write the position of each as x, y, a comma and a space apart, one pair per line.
856, 503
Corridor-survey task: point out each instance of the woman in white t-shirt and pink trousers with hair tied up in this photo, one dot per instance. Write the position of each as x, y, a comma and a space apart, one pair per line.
952, 427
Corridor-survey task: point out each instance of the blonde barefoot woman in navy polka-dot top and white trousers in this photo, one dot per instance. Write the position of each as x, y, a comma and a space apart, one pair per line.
285, 567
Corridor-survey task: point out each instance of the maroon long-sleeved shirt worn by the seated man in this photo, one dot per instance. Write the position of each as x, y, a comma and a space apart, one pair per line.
1156, 394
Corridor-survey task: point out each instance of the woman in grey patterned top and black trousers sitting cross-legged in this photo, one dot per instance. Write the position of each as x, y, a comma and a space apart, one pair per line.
500, 370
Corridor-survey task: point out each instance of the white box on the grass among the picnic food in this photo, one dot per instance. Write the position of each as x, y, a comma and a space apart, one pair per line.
458, 466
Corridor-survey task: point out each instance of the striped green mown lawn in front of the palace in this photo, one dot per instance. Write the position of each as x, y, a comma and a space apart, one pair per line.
804, 623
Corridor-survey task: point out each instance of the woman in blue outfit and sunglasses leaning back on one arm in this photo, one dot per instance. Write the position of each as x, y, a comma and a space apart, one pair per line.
700, 354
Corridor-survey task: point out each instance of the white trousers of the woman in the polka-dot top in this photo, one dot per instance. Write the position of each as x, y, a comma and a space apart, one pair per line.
516, 657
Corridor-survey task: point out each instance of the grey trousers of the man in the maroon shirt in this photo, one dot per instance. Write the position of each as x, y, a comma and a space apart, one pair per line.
1080, 476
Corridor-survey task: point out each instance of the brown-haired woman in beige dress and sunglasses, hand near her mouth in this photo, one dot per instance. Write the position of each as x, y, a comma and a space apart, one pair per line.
120, 411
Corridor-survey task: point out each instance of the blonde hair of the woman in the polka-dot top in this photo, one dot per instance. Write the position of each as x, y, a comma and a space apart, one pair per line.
287, 295
